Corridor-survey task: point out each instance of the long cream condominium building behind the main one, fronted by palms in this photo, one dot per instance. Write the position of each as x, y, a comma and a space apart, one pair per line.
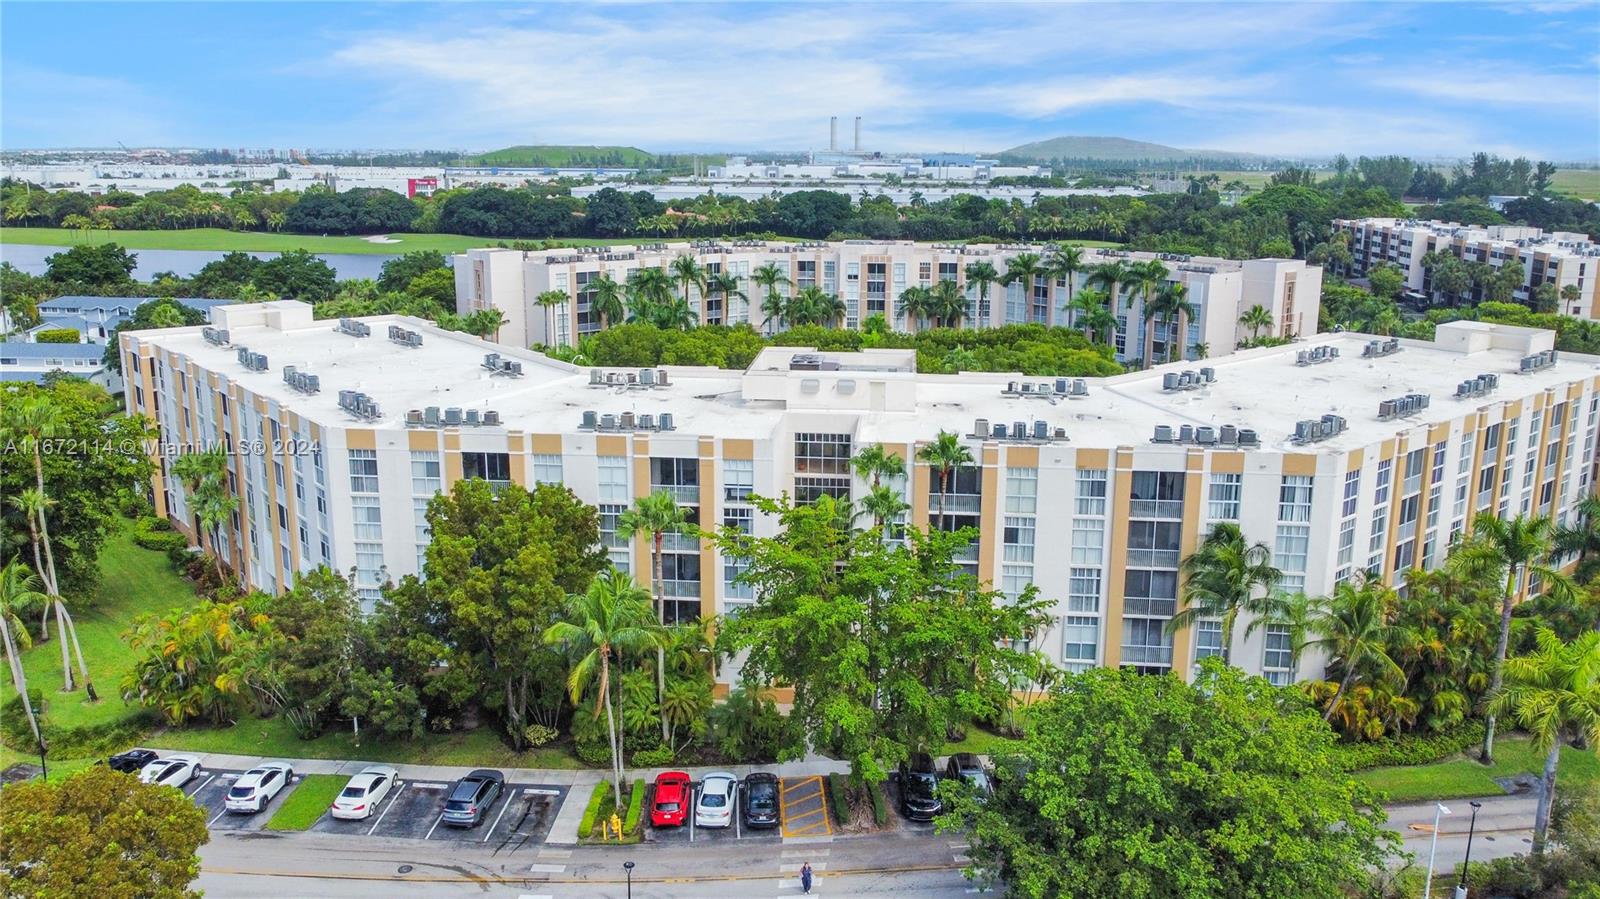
871, 276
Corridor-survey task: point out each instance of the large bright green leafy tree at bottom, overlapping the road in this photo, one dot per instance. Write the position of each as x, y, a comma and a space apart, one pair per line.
1138, 788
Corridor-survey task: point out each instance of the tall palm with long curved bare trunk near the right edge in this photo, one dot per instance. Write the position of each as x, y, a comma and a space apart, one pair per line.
1511, 551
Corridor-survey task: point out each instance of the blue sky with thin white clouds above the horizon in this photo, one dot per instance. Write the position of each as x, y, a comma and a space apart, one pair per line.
1294, 79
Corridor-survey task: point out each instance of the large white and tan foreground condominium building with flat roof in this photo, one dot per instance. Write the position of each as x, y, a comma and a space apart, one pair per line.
1345, 453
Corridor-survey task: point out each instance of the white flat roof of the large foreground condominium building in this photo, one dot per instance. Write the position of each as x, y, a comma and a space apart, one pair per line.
1258, 390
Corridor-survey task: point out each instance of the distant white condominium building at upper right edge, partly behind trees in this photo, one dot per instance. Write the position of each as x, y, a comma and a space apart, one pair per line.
1559, 258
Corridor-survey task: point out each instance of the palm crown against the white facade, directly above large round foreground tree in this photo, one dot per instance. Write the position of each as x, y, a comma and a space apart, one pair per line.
1225, 578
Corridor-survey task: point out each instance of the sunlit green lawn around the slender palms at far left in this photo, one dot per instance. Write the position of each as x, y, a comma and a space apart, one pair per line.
134, 581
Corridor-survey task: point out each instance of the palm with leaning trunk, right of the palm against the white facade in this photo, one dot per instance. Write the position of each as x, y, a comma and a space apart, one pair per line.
1354, 628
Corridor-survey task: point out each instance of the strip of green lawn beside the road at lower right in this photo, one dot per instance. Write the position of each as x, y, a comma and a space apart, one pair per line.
1462, 777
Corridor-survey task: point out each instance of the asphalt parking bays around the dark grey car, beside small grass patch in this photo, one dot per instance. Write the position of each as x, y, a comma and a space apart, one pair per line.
414, 812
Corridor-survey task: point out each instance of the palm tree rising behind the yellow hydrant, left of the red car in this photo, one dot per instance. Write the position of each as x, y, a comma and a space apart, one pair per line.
609, 620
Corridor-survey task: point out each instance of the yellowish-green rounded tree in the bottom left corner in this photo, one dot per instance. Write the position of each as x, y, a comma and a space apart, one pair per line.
100, 834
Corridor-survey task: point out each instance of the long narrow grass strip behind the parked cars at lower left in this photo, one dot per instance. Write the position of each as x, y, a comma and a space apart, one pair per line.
276, 740
